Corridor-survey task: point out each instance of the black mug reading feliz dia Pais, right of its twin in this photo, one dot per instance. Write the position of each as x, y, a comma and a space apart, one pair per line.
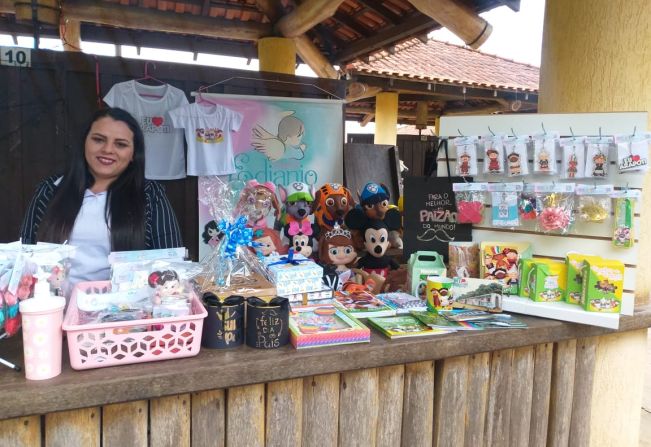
267, 323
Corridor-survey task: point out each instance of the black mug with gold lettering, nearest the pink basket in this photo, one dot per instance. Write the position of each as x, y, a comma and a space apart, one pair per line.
224, 325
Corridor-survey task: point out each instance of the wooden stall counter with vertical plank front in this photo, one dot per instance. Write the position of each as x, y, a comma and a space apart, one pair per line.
505, 385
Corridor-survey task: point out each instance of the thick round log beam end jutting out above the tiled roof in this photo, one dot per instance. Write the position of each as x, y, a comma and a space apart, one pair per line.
458, 18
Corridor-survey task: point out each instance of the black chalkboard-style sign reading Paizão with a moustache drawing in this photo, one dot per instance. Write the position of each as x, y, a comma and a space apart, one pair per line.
430, 214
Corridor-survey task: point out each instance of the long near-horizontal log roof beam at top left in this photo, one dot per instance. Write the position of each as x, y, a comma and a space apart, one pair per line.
153, 20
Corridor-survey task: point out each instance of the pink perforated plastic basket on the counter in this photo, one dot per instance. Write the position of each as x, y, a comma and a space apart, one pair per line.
108, 344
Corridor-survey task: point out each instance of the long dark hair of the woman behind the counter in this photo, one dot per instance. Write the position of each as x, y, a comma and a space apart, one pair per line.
125, 202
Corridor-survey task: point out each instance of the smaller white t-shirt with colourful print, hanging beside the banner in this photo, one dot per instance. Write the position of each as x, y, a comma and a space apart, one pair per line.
208, 130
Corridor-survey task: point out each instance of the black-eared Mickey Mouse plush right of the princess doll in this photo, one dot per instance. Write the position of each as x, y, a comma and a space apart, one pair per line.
376, 240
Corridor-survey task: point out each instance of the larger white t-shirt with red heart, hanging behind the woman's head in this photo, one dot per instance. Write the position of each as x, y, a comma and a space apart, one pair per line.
150, 105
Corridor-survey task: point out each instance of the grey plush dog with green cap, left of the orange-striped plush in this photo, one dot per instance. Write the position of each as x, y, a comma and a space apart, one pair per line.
297, 199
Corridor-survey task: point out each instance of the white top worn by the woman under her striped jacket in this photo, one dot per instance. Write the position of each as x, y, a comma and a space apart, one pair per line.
92, 238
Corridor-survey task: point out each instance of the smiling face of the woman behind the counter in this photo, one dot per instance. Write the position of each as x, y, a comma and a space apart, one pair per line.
108, 150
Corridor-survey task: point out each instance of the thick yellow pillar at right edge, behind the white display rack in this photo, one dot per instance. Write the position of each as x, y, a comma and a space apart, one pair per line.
613, 78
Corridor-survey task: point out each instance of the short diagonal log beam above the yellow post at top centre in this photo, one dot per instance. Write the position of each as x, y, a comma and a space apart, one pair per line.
307, 15
